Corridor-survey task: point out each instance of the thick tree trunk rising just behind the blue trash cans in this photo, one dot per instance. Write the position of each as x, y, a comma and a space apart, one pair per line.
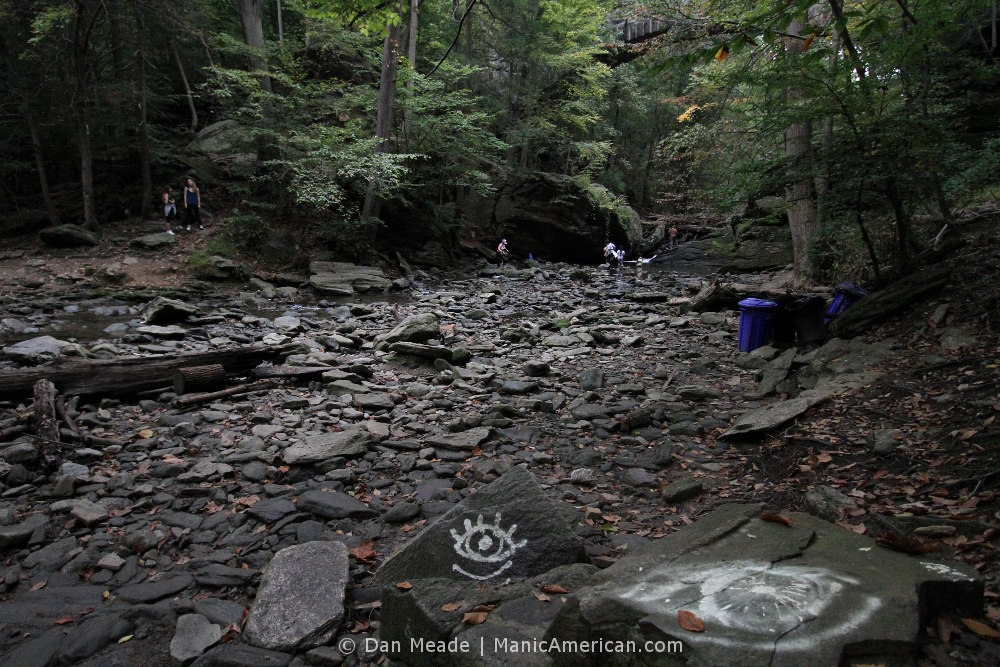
799, 193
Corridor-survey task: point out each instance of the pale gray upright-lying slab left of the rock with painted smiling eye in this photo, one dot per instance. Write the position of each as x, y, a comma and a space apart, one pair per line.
300, 603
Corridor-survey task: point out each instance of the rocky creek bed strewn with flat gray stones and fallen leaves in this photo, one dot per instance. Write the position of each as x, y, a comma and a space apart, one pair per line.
251, 530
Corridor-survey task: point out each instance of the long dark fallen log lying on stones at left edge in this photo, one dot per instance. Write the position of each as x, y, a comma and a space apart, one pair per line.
127, 377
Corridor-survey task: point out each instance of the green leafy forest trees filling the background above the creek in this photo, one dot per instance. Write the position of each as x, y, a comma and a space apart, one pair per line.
347, 119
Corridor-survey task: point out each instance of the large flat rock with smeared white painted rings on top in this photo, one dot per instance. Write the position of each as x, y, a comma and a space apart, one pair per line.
768, 594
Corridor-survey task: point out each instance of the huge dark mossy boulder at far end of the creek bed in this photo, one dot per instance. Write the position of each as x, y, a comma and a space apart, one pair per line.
559, 218
